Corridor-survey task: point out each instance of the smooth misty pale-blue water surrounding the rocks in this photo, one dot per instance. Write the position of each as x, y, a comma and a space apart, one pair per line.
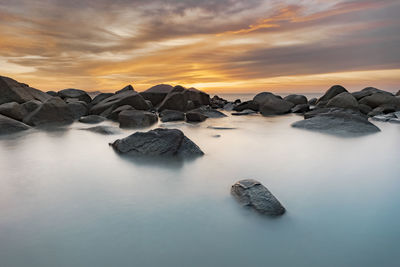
67, 199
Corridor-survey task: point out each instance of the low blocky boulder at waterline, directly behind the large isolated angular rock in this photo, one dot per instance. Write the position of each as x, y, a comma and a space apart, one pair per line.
136, 119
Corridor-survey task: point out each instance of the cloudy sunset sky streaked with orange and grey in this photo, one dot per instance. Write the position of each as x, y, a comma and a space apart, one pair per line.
214, 45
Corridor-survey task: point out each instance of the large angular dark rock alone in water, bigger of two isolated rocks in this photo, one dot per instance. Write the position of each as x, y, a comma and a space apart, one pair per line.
158, 142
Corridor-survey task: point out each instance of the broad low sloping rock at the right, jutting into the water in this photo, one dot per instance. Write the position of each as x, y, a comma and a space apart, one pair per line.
337, 122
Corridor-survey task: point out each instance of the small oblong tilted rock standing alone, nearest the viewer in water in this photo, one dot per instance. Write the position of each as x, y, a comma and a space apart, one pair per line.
252, 193
